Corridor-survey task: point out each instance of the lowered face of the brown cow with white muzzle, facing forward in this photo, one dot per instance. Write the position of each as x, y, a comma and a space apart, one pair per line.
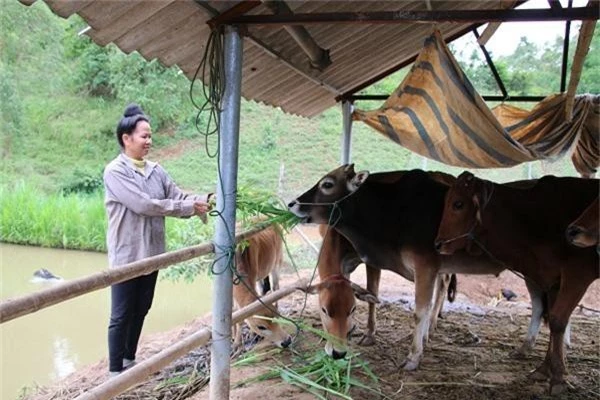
337, 305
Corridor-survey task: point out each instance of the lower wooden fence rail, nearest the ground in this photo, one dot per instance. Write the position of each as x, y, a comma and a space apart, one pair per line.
139, 372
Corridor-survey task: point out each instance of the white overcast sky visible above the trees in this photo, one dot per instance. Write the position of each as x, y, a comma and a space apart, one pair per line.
507, 37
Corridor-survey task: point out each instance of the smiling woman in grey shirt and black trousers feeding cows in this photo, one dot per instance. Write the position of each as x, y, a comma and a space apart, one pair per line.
138, 195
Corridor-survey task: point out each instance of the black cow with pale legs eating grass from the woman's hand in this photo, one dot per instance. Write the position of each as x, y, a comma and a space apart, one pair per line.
391, 219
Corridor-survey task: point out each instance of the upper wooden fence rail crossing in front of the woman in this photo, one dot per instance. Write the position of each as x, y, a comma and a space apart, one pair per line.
17, 307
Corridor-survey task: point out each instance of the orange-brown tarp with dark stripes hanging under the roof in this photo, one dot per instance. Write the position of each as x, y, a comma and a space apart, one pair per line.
437, 113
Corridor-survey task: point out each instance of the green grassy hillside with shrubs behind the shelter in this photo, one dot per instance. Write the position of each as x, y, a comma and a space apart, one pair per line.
61, 97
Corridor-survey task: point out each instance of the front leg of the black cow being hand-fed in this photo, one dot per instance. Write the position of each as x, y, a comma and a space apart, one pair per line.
425, 279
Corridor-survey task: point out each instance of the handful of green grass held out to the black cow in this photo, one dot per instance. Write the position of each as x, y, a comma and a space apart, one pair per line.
253, 203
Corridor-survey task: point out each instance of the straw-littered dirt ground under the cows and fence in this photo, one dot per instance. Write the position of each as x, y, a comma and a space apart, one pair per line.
468, 357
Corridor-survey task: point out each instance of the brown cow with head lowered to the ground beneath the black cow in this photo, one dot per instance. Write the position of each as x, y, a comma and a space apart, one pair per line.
337, 259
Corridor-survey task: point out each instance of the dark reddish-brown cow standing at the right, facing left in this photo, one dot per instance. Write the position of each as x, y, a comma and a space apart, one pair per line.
524, 229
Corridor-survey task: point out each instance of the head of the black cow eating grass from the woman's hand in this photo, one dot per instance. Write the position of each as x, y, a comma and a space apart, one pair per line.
316, 204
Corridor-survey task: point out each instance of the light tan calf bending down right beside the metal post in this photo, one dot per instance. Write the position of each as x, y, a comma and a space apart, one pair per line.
260, 257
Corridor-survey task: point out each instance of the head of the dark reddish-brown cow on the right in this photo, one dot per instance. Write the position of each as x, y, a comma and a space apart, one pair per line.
461, 220
